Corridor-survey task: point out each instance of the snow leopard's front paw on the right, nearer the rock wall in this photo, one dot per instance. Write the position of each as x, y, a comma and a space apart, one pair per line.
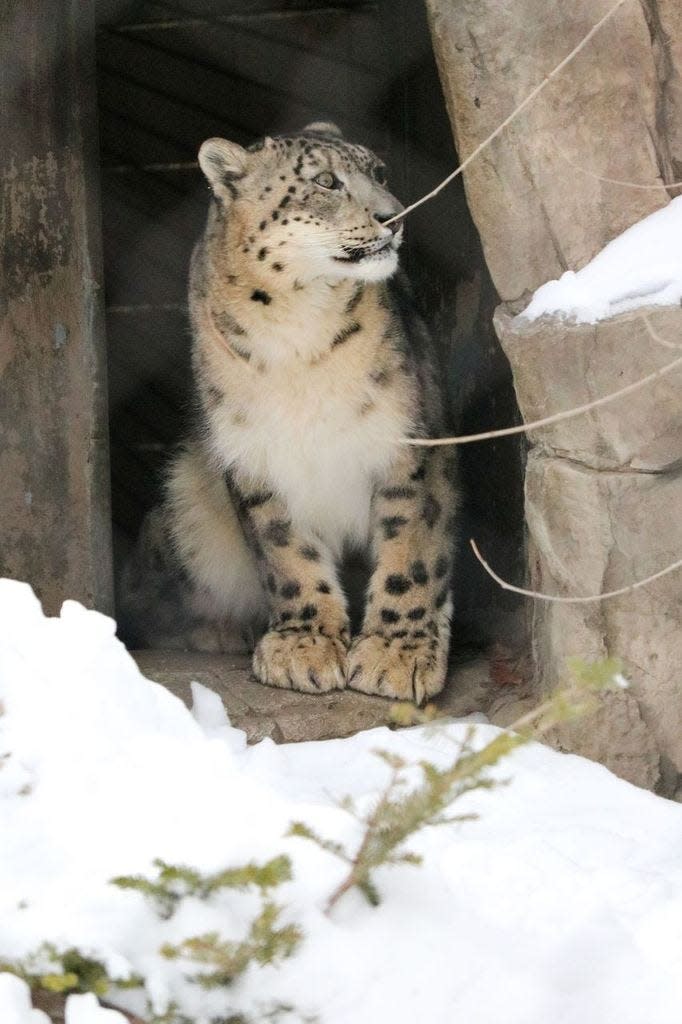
403, 670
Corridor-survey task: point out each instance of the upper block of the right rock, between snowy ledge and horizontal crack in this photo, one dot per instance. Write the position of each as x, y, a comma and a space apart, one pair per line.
560, 365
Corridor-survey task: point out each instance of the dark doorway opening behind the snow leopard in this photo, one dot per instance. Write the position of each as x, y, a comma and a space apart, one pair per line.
172, 75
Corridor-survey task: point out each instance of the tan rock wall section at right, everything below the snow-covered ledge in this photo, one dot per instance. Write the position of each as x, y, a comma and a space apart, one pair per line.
602, 495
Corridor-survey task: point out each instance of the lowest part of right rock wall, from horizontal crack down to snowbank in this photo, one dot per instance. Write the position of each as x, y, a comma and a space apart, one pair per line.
594, 532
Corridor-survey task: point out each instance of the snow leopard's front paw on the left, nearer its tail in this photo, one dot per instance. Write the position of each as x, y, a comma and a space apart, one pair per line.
312, 663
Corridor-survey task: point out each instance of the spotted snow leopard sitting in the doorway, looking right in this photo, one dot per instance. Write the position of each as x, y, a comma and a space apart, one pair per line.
313, 371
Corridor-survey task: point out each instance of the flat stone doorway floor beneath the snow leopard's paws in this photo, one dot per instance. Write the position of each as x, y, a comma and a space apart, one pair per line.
289, 717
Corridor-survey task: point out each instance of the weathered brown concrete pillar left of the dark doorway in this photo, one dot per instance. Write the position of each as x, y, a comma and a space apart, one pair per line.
55, 509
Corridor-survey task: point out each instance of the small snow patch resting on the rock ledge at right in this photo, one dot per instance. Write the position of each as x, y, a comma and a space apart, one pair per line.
642, 268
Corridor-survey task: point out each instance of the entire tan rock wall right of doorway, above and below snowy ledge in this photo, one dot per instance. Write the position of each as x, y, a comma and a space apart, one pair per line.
604, 491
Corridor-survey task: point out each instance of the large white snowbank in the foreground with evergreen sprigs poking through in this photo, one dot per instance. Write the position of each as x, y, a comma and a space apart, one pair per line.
562, 904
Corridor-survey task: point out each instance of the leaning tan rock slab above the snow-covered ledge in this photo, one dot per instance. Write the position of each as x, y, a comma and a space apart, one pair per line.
537, 215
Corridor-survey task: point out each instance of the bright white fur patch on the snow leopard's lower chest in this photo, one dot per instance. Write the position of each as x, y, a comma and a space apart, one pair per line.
321, 436
